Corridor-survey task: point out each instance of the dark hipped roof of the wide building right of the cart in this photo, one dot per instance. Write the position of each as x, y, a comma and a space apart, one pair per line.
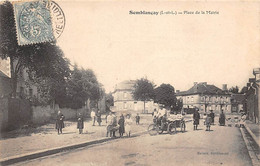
202, 88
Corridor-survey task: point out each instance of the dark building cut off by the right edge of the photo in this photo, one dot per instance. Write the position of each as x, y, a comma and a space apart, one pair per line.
252, 97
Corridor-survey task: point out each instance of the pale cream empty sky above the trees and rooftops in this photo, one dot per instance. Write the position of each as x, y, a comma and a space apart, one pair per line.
176, 49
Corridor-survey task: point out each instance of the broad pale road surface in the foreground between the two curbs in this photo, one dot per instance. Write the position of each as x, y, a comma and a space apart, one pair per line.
221, 146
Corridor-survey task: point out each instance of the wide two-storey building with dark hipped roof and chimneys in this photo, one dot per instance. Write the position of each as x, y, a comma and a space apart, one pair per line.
206, 97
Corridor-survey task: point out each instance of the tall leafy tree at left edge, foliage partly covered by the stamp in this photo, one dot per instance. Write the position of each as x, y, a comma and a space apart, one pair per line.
36, 58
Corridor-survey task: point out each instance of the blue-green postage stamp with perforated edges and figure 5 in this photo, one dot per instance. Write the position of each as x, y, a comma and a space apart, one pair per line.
33, 22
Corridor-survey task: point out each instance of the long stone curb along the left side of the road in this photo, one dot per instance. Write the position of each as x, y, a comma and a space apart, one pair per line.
47, 152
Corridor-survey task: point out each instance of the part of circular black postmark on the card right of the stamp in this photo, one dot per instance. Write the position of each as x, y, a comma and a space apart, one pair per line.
58, 18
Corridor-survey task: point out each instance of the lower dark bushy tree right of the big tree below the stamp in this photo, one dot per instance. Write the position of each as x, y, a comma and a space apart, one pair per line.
82, 85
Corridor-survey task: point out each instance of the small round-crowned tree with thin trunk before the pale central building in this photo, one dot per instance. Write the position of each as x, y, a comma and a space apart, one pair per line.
143, 90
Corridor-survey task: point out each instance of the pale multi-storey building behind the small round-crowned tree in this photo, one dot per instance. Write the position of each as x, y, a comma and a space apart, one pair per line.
124, 101
